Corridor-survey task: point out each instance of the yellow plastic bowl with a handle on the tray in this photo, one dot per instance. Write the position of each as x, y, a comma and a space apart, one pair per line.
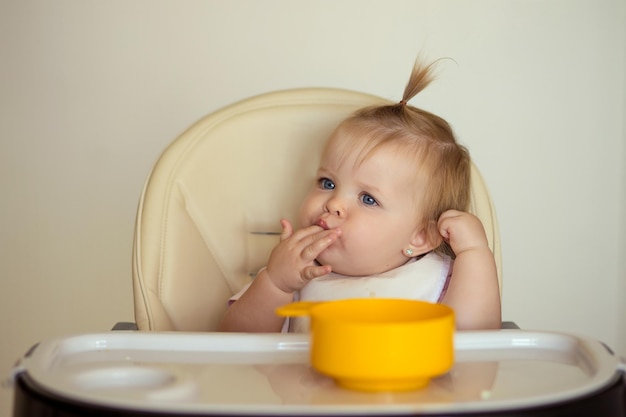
379, 344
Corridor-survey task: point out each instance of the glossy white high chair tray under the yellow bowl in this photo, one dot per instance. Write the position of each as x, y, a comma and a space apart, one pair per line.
269, 374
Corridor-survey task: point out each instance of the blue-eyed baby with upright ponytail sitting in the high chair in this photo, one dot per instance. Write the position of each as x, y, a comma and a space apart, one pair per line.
386, 217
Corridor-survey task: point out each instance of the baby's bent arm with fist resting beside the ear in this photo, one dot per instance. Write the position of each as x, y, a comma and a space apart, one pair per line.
473, 291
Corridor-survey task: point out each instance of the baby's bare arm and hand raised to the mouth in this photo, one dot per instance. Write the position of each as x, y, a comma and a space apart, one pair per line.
290, 267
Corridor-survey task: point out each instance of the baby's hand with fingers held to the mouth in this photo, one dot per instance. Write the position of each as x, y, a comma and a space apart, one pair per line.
292, 262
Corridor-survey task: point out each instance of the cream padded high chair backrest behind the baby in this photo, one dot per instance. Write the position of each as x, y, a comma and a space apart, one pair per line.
210, 209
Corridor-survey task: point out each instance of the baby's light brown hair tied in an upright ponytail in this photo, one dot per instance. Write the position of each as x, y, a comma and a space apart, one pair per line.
422, 135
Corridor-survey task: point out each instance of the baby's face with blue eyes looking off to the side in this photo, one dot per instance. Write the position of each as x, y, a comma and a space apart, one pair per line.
376, 204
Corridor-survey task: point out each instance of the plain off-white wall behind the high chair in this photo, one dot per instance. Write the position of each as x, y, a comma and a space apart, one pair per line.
91, 92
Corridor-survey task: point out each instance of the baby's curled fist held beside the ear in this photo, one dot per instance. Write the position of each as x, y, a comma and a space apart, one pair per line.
463, 231
